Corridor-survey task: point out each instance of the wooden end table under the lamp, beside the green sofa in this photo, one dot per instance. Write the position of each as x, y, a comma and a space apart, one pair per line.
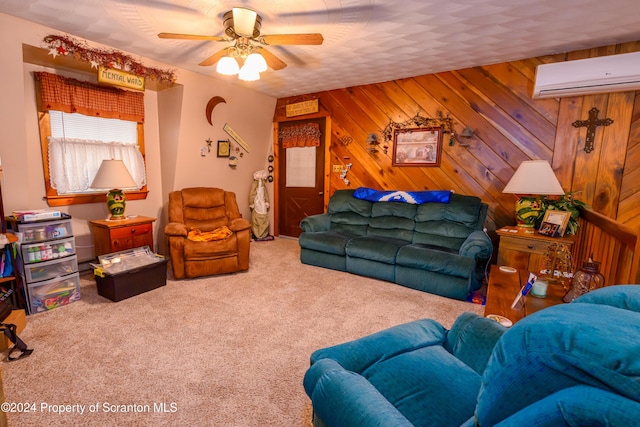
526, 251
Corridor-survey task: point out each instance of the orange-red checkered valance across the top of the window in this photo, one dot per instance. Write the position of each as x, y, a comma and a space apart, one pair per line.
61, 93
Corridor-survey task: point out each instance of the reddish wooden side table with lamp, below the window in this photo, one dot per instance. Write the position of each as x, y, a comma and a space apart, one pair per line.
119, 235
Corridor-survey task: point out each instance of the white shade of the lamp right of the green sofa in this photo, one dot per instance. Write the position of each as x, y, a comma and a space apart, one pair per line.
534, 177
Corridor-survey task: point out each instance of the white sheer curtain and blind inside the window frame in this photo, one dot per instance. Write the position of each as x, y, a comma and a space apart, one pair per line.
79, 143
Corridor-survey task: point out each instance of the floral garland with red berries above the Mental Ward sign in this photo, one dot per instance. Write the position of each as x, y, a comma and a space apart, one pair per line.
63, 45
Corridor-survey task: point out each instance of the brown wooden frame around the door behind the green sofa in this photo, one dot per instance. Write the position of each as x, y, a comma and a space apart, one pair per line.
326, 171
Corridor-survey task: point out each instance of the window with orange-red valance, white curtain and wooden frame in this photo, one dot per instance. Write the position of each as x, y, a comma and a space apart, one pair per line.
82, 124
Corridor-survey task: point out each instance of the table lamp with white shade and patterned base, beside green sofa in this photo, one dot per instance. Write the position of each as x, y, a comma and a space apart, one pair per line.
532, 180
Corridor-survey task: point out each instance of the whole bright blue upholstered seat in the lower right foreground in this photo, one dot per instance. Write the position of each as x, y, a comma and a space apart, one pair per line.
575, 364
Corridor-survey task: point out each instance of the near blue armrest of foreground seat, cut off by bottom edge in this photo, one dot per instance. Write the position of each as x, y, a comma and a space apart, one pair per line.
343, 398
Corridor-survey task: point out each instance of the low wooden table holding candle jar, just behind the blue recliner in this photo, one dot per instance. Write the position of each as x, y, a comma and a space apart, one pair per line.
503, 288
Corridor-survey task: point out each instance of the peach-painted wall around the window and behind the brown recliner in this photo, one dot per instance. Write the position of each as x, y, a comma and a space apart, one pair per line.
175, 130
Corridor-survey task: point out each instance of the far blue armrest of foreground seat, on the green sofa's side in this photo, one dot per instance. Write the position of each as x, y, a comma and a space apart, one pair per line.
361, 353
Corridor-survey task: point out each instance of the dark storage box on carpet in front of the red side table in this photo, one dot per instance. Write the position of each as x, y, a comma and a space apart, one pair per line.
132, 282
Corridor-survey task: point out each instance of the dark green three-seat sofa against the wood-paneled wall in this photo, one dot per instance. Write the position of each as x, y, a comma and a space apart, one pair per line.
440, 248
